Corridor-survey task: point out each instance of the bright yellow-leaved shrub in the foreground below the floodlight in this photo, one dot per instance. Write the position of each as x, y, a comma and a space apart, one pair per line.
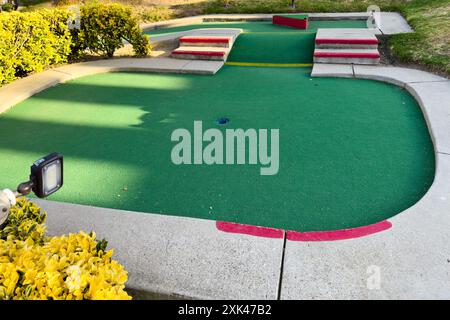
73, 267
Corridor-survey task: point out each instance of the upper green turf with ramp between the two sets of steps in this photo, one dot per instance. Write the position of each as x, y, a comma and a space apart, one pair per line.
264, 42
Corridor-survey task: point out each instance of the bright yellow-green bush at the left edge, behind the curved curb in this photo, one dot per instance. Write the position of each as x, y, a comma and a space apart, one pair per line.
30, 42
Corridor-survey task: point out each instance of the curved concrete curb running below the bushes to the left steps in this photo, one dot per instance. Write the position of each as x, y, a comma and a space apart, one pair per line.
24, 88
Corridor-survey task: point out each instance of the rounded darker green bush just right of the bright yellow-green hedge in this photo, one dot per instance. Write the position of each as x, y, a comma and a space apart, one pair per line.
105, 27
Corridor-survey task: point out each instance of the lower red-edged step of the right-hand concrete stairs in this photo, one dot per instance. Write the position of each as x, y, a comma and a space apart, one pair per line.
355, 56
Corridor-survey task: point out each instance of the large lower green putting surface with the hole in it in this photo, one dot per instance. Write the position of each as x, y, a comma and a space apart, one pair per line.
352, 152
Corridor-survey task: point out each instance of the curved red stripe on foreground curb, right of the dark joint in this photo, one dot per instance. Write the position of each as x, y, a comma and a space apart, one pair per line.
339, 234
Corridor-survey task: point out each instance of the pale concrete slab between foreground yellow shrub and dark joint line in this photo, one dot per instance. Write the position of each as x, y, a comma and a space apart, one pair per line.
177, 256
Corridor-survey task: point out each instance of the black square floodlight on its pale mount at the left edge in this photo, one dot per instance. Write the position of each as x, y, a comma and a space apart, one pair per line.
46, 178
